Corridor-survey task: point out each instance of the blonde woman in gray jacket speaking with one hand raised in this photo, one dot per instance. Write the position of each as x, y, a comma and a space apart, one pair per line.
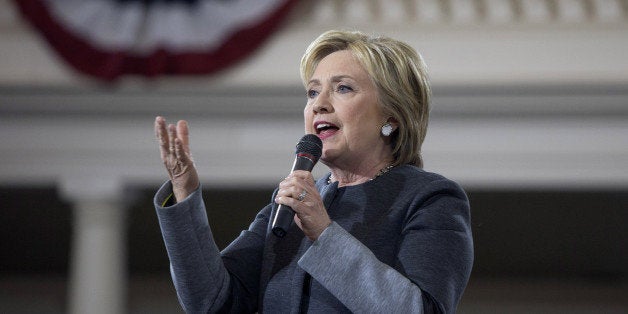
378, 234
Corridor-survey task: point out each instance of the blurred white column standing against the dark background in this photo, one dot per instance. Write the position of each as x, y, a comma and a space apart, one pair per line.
98, 255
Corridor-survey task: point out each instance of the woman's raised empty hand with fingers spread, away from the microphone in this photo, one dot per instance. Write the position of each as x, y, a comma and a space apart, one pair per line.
174, 145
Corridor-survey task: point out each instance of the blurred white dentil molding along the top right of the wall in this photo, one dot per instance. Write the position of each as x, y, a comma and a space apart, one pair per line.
460, 12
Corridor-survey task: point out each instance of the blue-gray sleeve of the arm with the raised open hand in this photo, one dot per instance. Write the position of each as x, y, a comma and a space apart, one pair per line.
198, 273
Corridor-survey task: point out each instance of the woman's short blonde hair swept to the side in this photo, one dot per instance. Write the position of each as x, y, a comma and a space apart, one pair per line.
400, 76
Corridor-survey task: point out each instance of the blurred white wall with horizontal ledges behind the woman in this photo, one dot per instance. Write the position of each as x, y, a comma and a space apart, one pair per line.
527, 93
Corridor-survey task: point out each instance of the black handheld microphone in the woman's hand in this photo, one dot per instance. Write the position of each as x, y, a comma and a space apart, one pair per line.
309, 149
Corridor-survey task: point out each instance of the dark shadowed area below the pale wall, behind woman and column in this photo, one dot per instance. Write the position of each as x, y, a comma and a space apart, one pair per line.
525, 241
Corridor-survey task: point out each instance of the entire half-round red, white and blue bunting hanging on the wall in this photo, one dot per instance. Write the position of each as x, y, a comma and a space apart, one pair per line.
108, 39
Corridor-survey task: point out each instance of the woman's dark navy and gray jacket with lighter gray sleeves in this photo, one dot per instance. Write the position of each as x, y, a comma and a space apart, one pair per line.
400, 243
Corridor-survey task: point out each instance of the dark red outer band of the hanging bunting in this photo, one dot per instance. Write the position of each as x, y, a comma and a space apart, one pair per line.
110, 65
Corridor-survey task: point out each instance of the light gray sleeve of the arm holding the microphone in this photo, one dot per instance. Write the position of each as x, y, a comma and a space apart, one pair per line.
352, 273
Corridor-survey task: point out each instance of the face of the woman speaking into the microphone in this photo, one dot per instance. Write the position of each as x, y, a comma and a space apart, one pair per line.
343, 110
